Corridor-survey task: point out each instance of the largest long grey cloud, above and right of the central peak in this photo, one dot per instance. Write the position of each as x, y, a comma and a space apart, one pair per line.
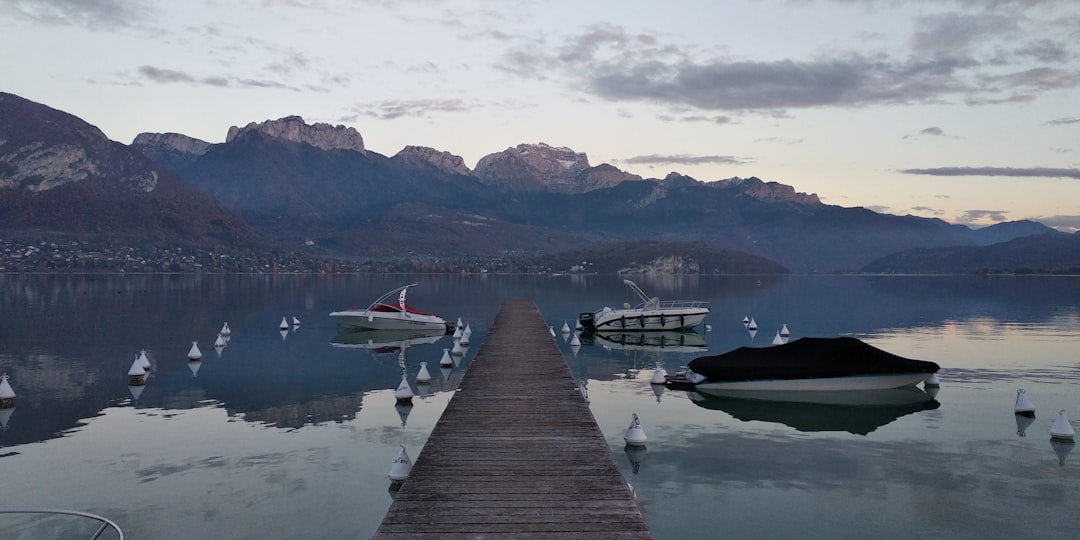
618, 66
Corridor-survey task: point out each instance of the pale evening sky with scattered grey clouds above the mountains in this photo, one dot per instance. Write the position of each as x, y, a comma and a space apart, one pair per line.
968, 111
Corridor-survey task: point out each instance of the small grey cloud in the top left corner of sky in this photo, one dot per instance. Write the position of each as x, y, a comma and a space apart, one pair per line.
91, 15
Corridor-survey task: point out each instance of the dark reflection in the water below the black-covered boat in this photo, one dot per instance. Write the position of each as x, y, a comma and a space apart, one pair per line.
858, 412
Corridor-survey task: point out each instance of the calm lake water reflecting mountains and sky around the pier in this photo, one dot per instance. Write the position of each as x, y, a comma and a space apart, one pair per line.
291, 435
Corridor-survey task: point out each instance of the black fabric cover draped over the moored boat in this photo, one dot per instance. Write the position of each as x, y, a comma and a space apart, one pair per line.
806, 359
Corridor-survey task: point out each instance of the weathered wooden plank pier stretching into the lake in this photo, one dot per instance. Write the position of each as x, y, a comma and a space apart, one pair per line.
517, 454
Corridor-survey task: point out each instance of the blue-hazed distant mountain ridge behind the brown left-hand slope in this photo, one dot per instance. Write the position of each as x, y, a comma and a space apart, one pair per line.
541, 198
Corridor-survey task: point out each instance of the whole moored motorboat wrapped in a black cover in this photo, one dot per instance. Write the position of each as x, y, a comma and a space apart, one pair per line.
806, 364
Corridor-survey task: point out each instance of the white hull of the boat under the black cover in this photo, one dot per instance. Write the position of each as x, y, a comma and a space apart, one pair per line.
815, 385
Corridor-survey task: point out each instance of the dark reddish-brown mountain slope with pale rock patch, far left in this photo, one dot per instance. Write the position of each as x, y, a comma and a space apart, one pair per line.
62, 175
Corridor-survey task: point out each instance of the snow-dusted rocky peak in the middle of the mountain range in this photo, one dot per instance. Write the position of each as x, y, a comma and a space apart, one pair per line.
544, 168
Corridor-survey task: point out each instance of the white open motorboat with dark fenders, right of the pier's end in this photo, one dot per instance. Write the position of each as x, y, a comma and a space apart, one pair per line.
652, 315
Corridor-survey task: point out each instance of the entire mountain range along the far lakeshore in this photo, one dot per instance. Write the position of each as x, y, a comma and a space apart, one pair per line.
317, 188
